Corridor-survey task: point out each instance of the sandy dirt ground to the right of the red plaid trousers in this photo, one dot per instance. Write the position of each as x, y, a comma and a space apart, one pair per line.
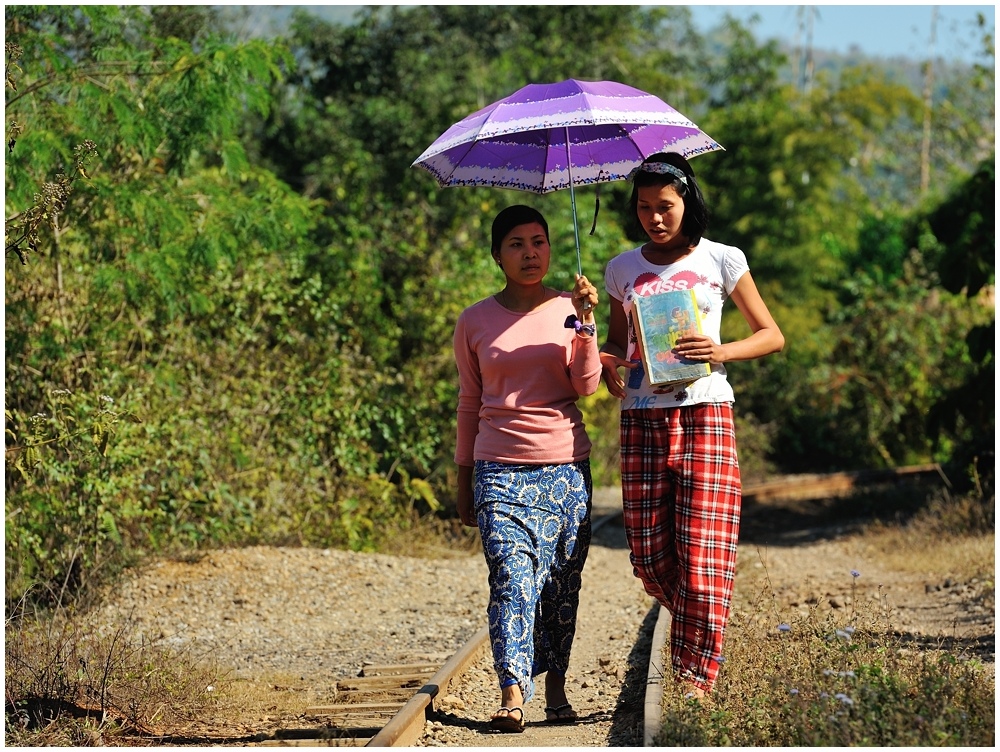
809, 562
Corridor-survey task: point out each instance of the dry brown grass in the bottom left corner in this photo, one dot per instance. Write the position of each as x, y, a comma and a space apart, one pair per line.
69, 683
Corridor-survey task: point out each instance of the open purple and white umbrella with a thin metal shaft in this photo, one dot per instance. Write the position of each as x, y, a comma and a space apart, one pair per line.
547, 137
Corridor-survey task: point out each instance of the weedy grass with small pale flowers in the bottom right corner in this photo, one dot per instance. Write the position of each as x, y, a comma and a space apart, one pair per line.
820, 683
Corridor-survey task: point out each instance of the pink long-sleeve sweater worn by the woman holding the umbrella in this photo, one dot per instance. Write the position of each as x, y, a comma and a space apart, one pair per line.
520, 375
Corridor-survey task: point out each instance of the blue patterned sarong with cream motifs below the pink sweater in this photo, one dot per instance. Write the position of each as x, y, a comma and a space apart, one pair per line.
534, 521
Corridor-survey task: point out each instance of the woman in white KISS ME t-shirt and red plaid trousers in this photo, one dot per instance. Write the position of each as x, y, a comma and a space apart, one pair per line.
681, 487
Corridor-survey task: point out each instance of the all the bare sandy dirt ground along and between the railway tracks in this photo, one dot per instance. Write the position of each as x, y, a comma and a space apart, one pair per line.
302, 618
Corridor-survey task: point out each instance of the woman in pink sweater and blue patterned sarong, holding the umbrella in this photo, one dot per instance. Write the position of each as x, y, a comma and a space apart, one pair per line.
524, 357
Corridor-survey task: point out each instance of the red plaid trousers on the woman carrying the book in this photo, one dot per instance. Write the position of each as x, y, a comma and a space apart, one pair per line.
681, 495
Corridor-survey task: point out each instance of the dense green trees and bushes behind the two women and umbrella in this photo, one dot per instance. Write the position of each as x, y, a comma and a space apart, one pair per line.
230, 300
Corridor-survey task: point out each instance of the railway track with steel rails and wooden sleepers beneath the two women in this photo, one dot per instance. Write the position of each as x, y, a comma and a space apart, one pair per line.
389, 705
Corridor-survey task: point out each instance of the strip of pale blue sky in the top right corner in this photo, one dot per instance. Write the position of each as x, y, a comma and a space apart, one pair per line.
883, 30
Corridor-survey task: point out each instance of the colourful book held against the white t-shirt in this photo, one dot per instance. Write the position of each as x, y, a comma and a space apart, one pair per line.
660, 320
